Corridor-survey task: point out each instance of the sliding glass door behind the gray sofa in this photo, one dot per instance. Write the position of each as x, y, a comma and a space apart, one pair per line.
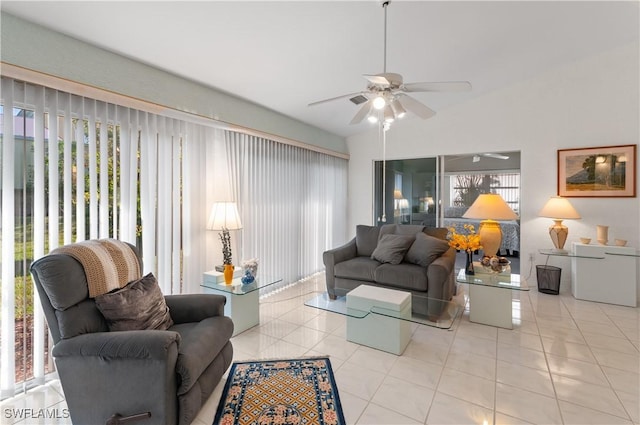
437, 191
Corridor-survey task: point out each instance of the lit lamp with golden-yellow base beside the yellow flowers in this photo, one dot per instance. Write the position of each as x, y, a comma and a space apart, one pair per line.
490, 207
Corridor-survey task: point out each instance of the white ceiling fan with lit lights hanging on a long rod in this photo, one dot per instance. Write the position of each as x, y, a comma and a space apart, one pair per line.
386, 93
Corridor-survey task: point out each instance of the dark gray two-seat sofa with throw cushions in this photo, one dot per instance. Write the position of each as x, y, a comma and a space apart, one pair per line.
411, 258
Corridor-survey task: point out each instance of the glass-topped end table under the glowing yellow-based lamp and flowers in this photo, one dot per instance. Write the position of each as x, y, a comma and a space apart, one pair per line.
490, 297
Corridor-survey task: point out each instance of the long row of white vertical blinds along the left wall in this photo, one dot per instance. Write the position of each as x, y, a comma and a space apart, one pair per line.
75, 168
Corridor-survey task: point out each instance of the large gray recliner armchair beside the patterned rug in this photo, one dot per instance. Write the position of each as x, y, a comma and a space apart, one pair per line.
155, 376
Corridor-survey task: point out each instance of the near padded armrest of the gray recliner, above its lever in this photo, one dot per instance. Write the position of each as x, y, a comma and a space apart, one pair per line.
145, 344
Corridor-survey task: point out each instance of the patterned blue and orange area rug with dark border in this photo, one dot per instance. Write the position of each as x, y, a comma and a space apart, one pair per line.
283, 392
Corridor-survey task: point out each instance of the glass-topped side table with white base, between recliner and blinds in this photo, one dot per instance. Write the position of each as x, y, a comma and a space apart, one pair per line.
243, 304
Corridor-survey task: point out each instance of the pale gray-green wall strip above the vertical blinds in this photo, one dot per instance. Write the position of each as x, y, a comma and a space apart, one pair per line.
34, 47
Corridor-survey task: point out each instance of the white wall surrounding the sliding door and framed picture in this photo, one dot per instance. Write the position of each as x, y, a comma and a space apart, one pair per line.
594, 102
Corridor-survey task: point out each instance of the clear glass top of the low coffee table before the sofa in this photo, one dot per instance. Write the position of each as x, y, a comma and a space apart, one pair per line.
448, 310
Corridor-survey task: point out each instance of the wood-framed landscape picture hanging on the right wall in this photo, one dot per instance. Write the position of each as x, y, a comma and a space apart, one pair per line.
597, 172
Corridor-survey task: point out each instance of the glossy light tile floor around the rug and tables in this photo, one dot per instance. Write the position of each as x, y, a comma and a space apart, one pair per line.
565, 362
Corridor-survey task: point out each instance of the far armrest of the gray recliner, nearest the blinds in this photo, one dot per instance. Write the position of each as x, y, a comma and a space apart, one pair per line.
188, 308
